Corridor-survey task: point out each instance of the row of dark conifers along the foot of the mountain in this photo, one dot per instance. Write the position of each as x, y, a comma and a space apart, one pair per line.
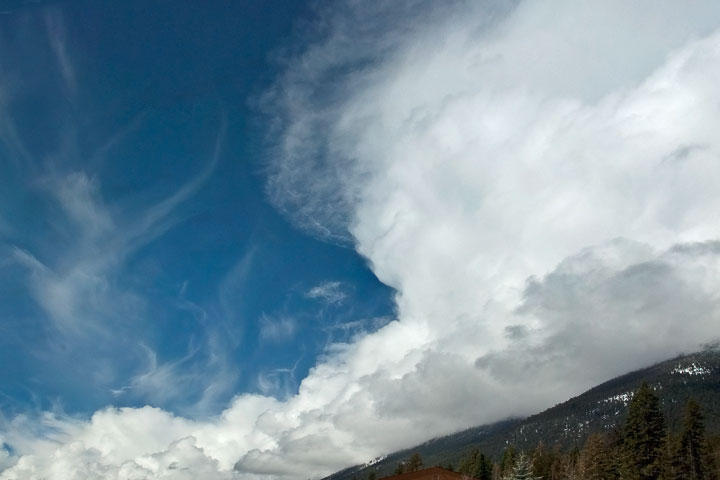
641, 448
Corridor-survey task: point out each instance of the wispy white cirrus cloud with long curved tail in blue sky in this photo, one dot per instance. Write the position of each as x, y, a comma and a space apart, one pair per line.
92, 307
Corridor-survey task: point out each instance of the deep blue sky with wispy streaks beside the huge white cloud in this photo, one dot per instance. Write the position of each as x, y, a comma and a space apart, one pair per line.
132, 176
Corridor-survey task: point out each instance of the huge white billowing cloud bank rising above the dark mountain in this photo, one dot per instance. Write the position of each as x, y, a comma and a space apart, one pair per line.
537, 182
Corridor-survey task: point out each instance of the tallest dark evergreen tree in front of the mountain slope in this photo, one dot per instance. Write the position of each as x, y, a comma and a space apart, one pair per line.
644, 437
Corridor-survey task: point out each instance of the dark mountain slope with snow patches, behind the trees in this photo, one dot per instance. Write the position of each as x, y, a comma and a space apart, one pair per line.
568, 424
